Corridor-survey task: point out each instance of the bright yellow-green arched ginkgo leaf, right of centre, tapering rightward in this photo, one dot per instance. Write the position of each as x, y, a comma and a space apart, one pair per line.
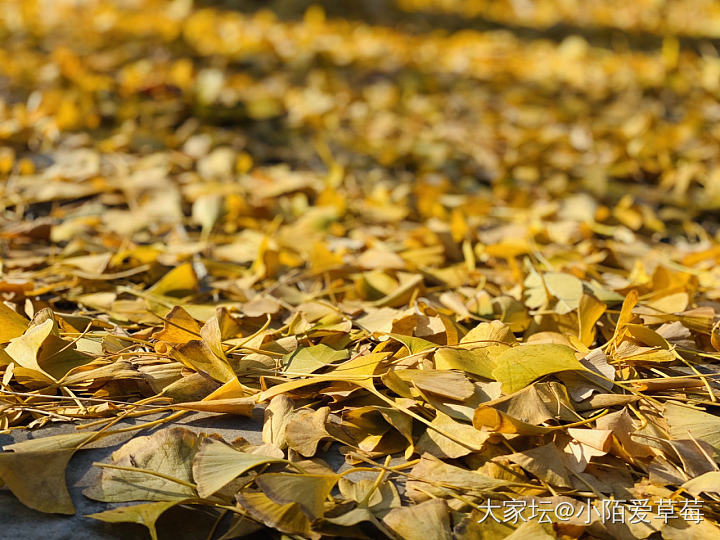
521, 365
